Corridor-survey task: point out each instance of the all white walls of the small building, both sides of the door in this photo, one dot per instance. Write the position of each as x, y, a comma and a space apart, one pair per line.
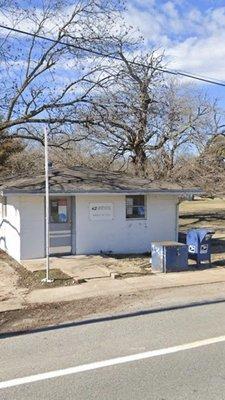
22, 231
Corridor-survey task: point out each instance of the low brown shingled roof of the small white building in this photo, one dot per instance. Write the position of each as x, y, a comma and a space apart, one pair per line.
87, 180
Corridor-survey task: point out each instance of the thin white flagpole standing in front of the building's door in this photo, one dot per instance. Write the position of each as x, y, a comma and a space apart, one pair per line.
47, 279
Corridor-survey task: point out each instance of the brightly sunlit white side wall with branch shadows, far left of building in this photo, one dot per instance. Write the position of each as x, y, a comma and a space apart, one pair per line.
10, 227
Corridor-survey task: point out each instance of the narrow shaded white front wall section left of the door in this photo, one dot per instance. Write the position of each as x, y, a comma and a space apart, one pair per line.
32, 227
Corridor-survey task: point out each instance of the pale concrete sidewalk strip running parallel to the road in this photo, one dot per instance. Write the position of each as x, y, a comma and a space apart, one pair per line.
107, 287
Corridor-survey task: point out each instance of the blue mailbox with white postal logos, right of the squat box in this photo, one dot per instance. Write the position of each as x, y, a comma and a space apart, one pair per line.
199, 244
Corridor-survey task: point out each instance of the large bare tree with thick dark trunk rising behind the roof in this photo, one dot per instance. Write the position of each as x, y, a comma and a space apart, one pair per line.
143, 113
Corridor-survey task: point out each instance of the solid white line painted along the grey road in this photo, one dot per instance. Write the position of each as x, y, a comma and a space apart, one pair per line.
108, 363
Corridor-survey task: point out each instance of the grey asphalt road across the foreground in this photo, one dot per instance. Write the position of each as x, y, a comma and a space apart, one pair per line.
195, 372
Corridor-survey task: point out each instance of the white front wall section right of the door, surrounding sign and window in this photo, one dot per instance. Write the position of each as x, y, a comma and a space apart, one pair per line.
121, 235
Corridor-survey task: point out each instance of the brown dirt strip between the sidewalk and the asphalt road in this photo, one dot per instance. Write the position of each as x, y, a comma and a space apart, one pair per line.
52, 315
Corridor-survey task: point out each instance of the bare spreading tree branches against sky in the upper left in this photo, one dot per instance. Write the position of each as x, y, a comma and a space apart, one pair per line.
50, 82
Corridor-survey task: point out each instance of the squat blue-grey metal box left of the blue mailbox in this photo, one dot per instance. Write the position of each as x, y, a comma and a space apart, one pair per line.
169, 256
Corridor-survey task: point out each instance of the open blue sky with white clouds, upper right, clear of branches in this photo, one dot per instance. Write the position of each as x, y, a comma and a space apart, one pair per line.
191, 32
